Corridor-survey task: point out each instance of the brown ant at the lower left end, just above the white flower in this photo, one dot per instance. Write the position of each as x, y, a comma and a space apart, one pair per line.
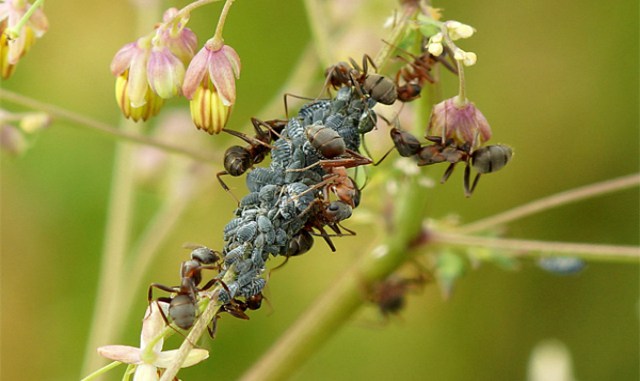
182, 307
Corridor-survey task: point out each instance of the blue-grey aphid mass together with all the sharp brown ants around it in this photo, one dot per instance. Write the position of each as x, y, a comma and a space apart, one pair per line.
306, 187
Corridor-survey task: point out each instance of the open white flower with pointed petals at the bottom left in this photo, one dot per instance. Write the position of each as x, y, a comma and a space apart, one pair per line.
149, 356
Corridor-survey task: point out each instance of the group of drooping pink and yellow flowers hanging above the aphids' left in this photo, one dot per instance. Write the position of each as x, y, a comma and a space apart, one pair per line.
163, 65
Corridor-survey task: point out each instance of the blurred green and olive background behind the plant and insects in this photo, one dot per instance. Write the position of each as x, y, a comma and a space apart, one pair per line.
558, 81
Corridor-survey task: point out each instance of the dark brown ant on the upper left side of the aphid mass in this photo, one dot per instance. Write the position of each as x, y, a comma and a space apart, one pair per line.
238, 160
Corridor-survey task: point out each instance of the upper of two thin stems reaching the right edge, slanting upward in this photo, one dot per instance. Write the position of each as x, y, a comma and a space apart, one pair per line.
553, 201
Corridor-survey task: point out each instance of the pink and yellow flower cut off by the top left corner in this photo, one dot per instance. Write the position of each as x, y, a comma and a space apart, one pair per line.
19, 29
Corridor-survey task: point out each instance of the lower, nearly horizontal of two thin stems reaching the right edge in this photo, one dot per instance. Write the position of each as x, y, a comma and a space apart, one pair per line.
519, 247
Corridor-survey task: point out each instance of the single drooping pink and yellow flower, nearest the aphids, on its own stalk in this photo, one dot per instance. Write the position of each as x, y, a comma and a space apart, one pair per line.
210, 85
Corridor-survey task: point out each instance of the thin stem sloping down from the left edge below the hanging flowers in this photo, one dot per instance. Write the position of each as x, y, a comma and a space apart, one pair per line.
130, 135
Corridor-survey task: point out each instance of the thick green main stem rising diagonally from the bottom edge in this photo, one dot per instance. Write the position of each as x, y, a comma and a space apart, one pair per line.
335, 306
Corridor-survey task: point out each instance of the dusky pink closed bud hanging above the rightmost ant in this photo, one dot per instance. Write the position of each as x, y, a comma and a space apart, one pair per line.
459, 122
